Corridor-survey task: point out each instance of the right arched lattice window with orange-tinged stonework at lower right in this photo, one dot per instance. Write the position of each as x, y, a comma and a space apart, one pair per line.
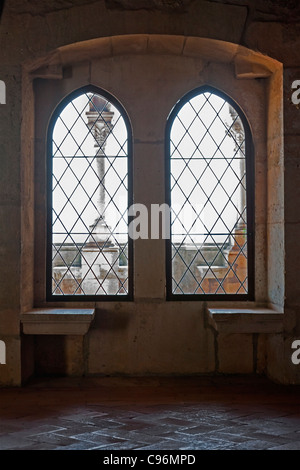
209, 165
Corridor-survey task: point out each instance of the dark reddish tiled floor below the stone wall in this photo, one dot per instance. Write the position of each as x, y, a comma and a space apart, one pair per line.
151, 413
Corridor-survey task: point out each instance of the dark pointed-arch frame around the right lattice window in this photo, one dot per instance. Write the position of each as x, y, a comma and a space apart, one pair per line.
250, 195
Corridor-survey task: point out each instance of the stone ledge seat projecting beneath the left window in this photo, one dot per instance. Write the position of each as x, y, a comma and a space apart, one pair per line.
57, 321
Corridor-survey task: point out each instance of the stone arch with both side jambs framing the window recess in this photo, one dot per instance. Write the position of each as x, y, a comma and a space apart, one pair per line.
245, 64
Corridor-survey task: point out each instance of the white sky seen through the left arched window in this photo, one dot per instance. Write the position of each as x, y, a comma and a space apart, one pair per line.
80, 143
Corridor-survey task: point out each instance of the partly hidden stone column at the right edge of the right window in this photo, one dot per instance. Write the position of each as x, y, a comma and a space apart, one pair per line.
237, 259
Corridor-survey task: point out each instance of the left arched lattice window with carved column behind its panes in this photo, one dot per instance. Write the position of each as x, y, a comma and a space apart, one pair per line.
89, 253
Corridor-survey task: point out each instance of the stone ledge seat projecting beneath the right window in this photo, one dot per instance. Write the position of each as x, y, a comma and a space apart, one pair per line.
243, 320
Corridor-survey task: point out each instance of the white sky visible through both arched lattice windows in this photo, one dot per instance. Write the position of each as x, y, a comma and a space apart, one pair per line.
79, 143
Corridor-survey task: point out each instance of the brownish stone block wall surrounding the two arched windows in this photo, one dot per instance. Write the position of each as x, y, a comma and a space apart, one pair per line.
249, 50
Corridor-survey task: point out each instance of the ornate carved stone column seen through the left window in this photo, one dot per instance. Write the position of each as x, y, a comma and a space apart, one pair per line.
100, 253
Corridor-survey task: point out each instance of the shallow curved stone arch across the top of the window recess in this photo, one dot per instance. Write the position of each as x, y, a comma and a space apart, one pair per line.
247, 63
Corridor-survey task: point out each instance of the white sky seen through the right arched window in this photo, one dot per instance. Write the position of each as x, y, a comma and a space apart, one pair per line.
194, 147
